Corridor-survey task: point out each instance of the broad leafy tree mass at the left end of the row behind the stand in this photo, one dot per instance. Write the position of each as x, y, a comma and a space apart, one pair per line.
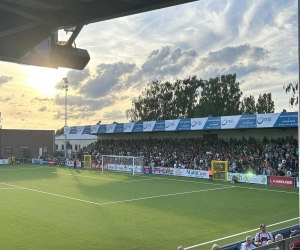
162, 101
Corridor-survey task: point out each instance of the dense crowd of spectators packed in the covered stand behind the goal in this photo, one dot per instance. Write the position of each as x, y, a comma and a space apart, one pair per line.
267, 157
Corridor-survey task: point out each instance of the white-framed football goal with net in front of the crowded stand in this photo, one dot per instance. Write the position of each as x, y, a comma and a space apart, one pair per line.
127, 164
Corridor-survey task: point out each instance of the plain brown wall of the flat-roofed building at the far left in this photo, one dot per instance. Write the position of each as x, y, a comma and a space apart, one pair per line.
12, 141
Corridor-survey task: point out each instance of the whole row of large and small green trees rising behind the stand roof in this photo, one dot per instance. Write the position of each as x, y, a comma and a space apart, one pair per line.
193, 97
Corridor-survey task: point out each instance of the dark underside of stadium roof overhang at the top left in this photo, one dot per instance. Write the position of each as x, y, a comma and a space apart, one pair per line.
28, 28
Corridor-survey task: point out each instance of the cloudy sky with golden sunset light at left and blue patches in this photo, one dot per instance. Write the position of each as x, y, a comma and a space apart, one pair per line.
256, 39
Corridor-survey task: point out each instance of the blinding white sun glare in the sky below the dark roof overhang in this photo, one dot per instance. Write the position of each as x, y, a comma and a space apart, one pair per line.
44, 79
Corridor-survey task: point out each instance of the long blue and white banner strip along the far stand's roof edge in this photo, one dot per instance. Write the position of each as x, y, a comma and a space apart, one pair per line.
284, 119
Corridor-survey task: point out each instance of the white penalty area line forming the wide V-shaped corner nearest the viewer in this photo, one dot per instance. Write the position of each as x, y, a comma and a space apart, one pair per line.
113, 202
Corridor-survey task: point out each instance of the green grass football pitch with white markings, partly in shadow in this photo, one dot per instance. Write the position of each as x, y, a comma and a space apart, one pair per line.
63, 208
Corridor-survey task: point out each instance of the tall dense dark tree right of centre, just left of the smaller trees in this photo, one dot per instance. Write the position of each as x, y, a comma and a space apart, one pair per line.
220, 96
